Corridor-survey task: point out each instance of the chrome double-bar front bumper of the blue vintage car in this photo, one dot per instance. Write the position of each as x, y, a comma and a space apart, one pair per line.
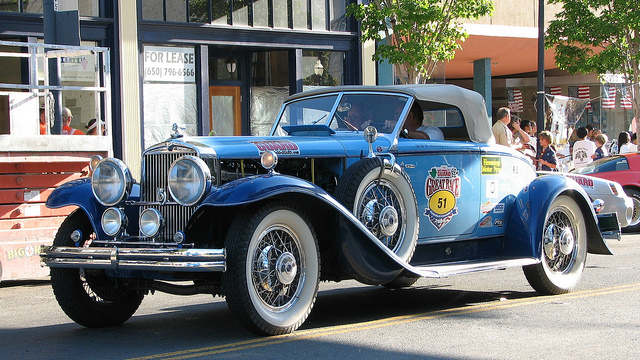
114, 258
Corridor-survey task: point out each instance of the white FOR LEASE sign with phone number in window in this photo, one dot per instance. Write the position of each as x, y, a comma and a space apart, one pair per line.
169, 64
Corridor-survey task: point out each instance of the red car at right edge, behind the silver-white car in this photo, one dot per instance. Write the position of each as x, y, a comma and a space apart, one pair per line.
625, 170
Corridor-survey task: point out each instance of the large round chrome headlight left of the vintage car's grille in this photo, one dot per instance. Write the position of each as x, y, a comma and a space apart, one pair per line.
111, 181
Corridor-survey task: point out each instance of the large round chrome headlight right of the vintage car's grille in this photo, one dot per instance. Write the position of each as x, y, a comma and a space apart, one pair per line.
189, 180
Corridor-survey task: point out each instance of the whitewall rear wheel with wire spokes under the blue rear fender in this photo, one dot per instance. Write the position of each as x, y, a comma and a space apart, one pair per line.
564, 249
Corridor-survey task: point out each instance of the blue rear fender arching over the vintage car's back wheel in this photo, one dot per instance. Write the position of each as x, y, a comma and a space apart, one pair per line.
525, 227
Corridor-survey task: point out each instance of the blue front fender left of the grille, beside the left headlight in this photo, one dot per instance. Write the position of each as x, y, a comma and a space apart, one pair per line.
78, 193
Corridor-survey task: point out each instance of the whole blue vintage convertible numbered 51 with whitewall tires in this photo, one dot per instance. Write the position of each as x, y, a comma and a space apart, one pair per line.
341, 189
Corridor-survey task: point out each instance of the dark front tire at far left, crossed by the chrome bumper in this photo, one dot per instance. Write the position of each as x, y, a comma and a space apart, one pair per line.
89, 297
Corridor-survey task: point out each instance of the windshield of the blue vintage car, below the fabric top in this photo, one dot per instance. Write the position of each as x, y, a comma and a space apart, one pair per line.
345, 112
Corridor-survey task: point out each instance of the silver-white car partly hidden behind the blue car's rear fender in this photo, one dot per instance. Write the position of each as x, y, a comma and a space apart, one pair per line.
614, 199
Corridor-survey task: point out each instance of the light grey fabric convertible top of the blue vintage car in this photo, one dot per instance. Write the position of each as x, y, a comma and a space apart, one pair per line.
470, 103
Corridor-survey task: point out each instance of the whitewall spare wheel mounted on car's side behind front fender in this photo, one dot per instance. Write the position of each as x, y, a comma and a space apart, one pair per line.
382, 198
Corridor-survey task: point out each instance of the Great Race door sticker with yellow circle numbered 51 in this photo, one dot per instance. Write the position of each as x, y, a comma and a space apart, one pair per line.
442, 189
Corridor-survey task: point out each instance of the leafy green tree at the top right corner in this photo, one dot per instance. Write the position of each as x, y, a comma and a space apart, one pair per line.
598, 36
